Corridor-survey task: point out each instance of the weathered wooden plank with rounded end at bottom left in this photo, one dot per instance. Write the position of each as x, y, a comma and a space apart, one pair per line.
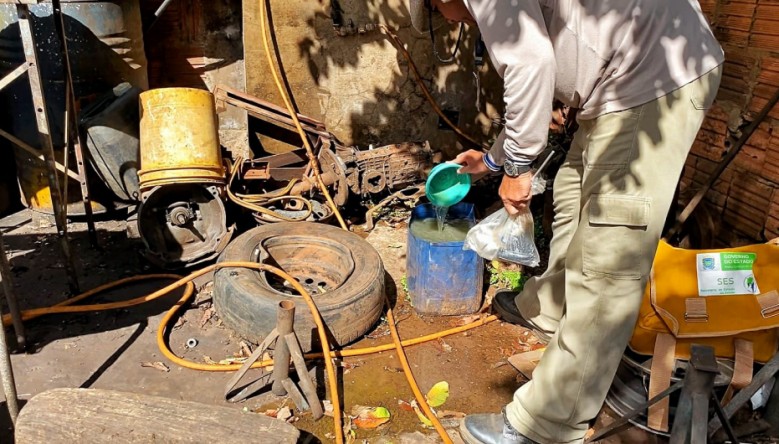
89, 416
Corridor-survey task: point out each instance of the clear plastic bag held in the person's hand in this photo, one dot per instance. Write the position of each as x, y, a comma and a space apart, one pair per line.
504, 237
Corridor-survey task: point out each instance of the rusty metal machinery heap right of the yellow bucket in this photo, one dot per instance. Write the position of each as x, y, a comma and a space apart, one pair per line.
278, 181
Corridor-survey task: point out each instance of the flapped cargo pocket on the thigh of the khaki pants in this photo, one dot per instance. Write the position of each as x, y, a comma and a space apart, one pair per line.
615, 237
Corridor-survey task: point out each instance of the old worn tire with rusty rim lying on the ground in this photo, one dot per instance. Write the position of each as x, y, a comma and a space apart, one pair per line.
342, 272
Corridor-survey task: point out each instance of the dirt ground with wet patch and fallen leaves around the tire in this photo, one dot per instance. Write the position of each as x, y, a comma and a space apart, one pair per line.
105, 350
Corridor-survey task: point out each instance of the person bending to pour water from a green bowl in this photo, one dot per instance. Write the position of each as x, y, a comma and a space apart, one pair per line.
641, 74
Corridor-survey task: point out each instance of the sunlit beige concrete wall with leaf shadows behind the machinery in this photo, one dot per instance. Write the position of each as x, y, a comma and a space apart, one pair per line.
360, 86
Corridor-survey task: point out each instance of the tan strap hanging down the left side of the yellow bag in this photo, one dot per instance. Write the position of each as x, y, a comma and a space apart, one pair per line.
663, 361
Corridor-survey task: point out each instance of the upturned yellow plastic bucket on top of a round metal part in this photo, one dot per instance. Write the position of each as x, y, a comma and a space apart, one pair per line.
179, 138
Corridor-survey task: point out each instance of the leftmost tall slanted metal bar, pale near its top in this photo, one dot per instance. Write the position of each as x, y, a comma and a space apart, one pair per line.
42, 121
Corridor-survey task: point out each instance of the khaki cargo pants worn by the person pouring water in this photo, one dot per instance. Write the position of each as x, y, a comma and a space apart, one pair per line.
611, 197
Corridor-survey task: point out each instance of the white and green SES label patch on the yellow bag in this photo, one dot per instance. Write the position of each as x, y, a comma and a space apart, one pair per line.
721, 274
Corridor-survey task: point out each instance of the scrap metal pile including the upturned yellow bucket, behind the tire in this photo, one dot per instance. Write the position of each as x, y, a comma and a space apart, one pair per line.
188, 189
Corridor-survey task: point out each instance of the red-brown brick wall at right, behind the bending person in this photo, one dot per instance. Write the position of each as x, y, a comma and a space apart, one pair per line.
745, 200
